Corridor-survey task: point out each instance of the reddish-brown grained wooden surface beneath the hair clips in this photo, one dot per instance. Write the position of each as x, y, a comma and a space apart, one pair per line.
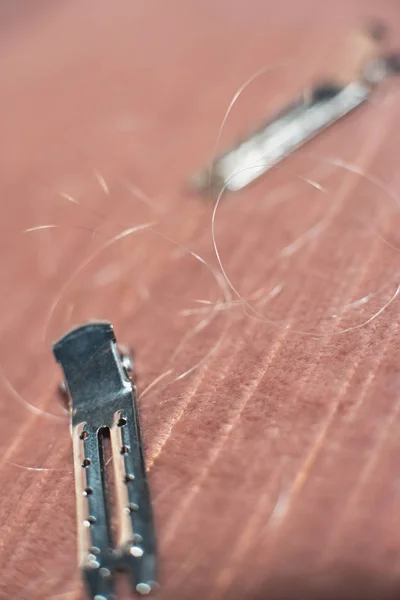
269, 379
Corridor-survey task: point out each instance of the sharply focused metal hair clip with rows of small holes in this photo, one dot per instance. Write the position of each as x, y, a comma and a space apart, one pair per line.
104, 404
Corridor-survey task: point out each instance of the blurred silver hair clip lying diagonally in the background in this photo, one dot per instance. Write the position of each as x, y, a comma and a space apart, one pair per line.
317, 108
